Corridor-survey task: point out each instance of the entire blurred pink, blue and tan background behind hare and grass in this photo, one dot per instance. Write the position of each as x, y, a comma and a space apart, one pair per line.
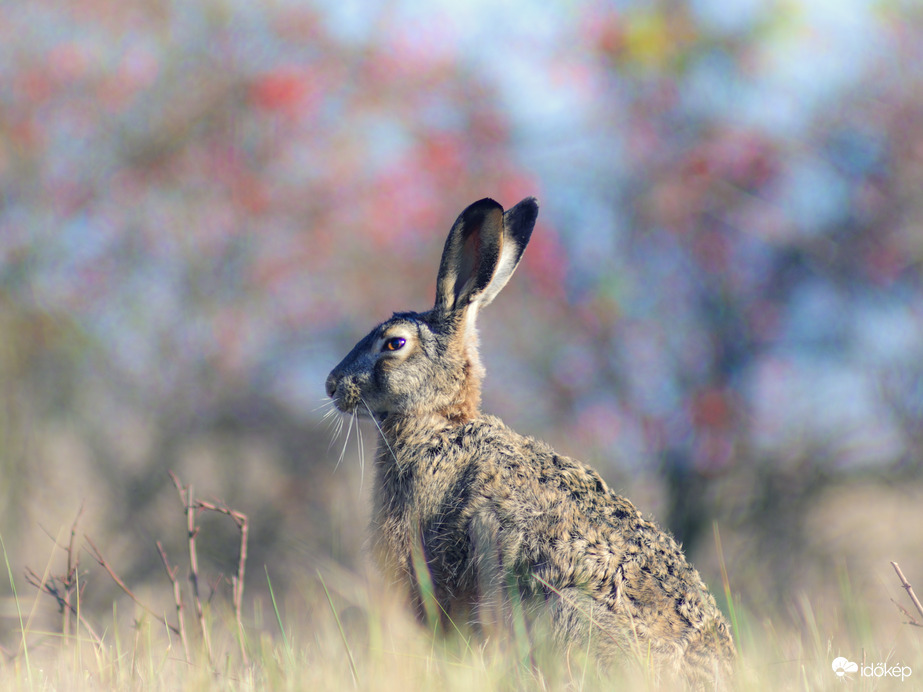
203, 205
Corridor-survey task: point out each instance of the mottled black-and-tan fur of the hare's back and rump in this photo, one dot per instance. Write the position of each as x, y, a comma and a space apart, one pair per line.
572, 524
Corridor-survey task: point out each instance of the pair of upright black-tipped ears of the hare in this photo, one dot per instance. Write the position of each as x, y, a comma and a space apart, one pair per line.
482, 251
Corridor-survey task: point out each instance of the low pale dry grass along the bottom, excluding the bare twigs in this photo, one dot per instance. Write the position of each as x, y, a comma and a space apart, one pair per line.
380, 649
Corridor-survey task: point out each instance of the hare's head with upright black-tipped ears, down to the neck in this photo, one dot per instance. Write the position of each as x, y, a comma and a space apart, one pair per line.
422, 364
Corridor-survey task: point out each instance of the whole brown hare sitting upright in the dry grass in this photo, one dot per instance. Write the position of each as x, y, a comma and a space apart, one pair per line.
485, 510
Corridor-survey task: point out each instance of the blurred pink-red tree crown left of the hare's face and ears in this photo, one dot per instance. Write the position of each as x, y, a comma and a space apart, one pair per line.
196, 203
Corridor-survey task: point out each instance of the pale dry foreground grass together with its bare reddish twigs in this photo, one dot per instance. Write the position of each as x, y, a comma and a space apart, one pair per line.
336, 629
